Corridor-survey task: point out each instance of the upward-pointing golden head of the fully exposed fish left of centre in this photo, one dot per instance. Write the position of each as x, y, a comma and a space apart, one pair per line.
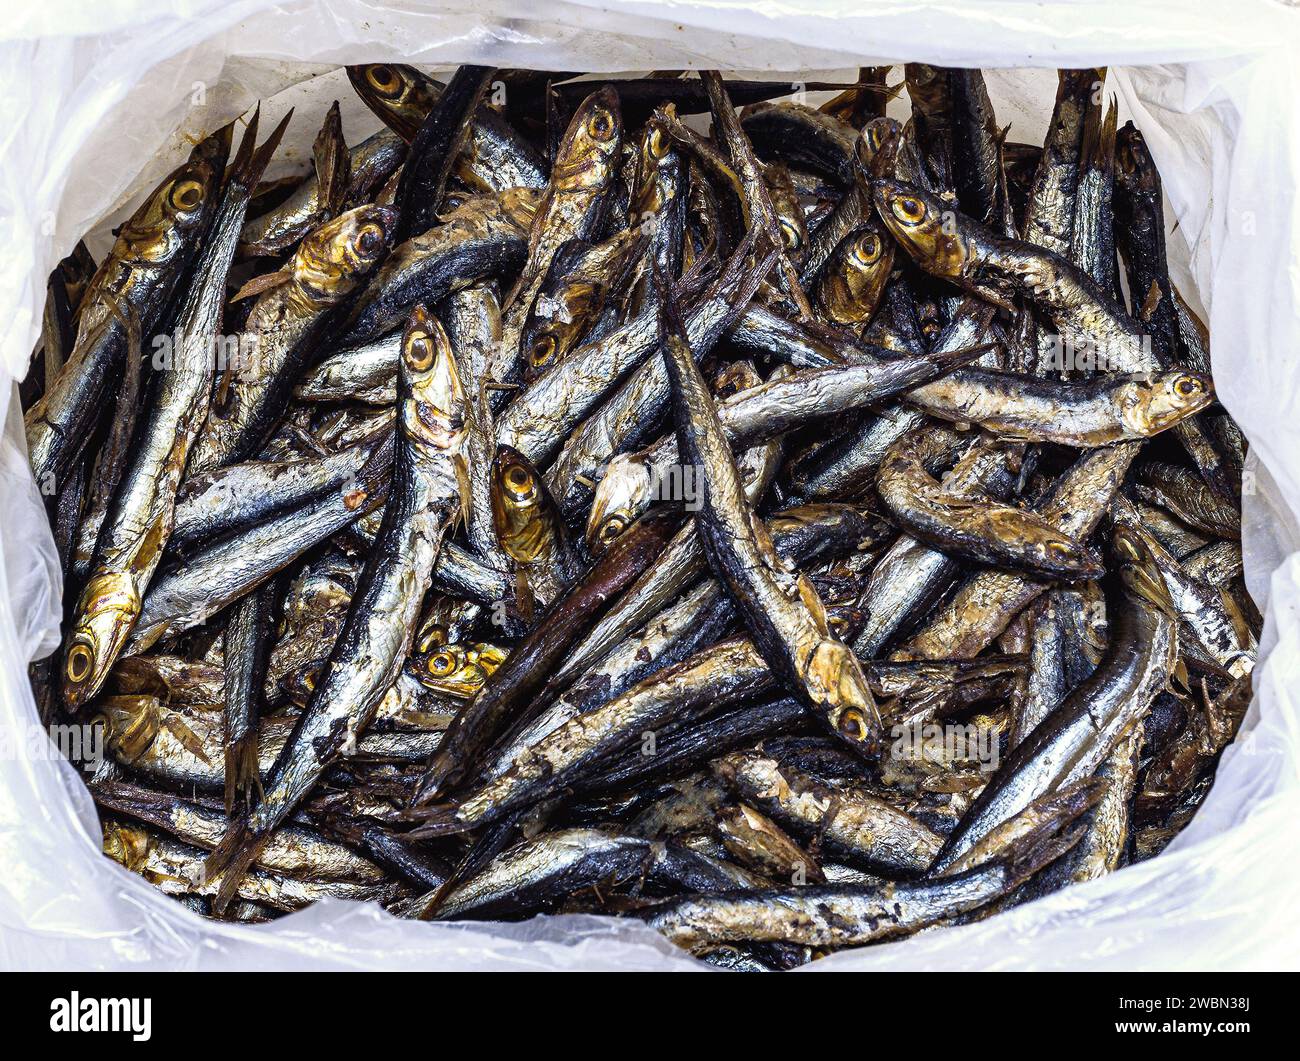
432, 402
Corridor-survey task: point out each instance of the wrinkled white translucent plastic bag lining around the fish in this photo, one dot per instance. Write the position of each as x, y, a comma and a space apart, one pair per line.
98, 103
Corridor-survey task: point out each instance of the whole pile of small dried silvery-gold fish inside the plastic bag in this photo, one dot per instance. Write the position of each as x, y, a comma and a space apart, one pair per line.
790, 527
